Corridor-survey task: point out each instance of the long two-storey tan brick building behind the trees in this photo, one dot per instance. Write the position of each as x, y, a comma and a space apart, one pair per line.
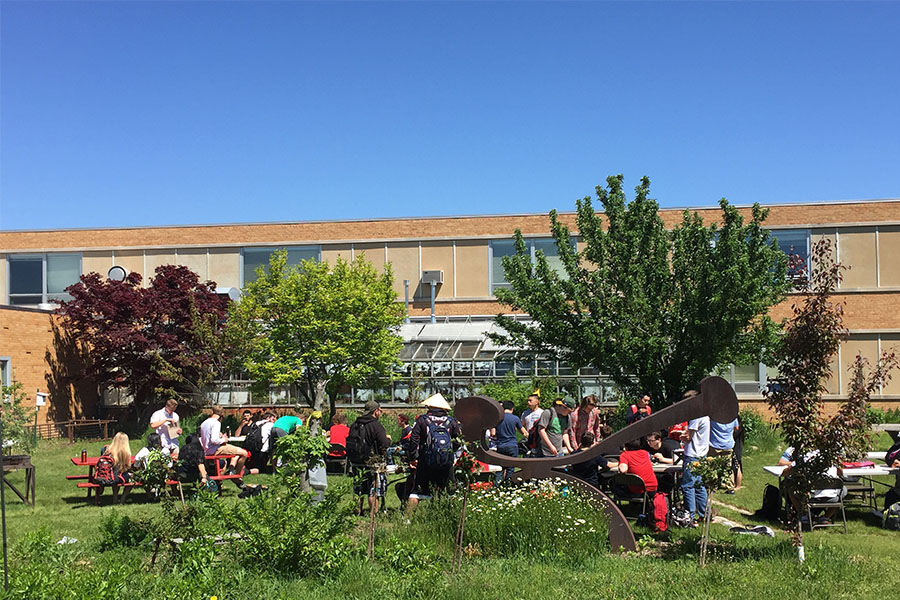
462, 252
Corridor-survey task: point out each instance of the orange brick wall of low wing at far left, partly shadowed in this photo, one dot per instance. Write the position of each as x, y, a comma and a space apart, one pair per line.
27, 337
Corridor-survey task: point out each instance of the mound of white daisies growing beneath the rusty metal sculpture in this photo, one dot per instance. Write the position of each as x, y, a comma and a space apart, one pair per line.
542, 518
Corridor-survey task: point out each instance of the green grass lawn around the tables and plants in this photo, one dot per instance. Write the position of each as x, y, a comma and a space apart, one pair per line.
413, 562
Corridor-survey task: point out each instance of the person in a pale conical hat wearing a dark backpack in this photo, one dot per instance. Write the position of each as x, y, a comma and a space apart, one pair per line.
431, 450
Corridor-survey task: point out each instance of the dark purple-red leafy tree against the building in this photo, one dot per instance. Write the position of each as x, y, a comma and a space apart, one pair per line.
167, 337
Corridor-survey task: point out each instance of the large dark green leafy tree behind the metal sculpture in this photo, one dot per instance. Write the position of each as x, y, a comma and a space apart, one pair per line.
654, 310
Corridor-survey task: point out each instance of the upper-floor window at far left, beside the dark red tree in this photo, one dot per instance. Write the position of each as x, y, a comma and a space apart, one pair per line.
40, 278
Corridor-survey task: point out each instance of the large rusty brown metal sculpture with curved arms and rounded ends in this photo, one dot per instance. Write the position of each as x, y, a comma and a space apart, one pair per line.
477, 414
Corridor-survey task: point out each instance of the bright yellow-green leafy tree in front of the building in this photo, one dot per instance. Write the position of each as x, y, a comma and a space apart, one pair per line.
325, 326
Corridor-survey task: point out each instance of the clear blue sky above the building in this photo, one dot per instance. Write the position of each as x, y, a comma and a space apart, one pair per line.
153, 113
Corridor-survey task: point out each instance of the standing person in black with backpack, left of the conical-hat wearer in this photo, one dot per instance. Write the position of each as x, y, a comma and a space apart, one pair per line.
367, 438
